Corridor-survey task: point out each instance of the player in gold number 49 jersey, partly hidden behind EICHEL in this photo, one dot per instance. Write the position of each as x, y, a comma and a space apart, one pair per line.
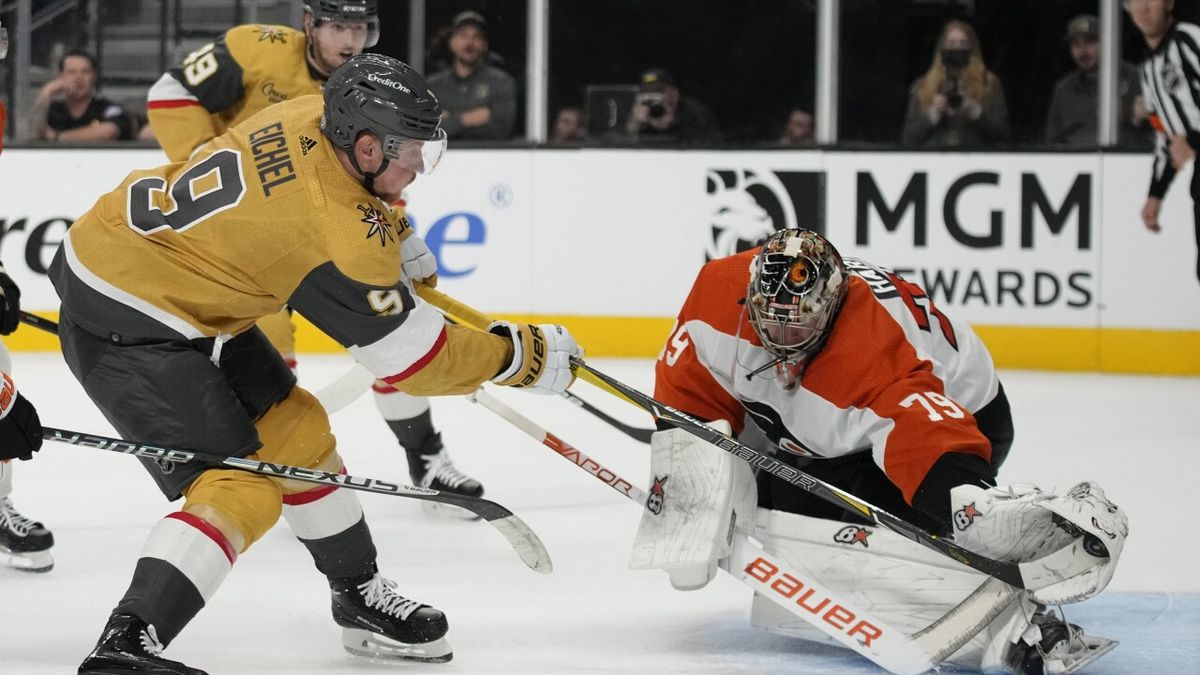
247, 70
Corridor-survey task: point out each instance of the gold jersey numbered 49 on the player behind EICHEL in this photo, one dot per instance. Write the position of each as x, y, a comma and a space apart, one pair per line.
226, 82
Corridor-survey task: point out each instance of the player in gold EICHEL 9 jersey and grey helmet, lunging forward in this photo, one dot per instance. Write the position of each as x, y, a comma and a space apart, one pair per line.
161, 285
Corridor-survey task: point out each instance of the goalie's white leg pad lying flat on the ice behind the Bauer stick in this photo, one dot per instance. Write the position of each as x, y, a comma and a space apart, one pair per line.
899, 582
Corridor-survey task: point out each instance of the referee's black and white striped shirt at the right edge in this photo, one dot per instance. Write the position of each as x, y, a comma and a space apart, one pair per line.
1171, 83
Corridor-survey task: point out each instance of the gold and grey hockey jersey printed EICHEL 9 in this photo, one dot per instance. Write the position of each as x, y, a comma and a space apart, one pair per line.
257, 219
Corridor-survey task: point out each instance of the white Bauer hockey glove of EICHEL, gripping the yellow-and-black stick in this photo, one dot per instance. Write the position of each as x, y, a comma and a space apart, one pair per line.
542, 356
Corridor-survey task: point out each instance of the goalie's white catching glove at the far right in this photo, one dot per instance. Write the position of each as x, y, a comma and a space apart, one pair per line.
1021, 523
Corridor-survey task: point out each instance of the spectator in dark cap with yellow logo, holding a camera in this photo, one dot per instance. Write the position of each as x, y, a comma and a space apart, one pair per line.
664, 116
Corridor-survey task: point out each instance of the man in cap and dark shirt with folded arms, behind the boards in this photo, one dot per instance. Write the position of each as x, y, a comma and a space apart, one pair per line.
479, 101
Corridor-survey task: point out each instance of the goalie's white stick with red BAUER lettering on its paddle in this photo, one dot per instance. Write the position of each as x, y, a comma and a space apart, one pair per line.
773, 580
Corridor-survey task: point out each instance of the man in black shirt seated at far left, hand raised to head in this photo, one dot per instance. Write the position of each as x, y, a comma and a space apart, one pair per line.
68, 107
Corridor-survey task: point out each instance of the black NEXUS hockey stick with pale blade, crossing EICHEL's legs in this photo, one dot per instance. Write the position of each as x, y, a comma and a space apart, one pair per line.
520, 536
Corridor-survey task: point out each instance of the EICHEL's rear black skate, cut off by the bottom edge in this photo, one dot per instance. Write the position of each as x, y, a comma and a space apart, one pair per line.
129, 646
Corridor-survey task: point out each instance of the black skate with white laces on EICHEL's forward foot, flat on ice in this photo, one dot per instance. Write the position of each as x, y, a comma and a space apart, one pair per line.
380, 623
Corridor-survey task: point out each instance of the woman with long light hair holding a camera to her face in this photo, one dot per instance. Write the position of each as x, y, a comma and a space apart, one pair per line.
958, 103
